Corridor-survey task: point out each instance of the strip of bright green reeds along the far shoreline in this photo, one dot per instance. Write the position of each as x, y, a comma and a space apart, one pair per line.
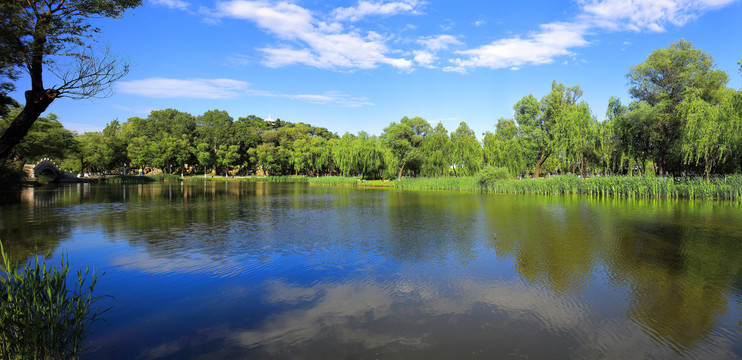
641, 187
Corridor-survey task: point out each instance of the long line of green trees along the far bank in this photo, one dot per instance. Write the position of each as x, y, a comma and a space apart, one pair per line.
682, 120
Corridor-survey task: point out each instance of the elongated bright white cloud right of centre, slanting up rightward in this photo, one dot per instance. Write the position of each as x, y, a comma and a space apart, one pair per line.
553, 40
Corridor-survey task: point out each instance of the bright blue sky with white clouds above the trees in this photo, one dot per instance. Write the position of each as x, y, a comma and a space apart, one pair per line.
360, 65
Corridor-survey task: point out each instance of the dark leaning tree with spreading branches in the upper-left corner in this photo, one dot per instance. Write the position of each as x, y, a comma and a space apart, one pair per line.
43, 37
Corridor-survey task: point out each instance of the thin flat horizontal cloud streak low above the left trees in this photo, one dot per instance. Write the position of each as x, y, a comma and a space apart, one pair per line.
183, 88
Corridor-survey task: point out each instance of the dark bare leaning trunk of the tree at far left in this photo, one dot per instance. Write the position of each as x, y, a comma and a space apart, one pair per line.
36, 104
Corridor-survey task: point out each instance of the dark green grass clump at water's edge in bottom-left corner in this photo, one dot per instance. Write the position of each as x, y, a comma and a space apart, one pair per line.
41, 316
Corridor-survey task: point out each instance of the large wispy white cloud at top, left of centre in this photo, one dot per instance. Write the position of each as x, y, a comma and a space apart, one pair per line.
316, 43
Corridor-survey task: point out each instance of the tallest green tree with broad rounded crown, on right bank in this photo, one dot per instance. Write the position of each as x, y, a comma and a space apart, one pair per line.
663, 81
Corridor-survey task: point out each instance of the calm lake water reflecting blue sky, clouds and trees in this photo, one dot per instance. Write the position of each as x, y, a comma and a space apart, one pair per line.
289, 271
